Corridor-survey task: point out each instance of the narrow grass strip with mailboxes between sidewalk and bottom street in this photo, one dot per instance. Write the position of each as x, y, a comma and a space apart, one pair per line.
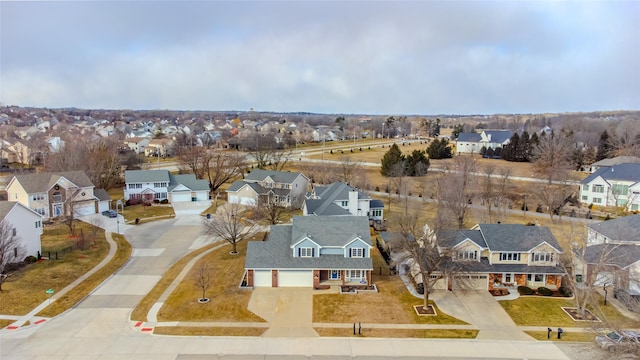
399, 333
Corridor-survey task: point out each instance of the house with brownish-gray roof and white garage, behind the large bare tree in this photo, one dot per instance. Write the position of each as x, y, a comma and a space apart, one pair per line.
286, 188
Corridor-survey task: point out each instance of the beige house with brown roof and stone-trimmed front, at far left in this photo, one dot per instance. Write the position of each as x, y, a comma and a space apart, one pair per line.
56, 194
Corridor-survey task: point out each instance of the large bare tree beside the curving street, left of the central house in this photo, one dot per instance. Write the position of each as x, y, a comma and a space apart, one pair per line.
229, 224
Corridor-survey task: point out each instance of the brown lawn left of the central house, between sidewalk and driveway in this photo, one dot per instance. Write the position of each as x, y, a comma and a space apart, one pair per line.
228, 302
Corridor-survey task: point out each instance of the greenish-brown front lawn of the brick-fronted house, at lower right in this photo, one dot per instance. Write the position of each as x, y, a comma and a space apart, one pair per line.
543, 311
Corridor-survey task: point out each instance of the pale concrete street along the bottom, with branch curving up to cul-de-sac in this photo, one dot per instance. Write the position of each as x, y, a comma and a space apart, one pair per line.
99, 327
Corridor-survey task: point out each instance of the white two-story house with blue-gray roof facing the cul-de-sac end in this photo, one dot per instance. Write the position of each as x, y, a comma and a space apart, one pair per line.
150, 185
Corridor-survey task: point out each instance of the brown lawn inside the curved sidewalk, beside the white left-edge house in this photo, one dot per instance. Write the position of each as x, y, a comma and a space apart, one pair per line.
25, 289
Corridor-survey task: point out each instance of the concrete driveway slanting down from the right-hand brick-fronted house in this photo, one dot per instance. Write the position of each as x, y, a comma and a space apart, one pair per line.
479, 308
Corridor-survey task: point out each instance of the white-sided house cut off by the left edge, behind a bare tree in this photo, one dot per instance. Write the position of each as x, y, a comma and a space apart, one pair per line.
27, 226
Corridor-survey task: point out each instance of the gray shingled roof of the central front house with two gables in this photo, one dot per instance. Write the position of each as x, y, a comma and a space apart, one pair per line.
276, 253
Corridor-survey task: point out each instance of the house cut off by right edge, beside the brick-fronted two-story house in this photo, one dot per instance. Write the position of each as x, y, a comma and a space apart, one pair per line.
612, 255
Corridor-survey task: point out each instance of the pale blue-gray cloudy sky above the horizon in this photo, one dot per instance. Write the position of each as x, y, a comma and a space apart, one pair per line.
382, 57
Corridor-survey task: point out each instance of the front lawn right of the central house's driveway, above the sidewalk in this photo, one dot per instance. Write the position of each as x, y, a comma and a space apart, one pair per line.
392, 304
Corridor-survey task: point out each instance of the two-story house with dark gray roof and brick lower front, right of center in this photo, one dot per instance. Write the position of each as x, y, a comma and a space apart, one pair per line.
506, 255
